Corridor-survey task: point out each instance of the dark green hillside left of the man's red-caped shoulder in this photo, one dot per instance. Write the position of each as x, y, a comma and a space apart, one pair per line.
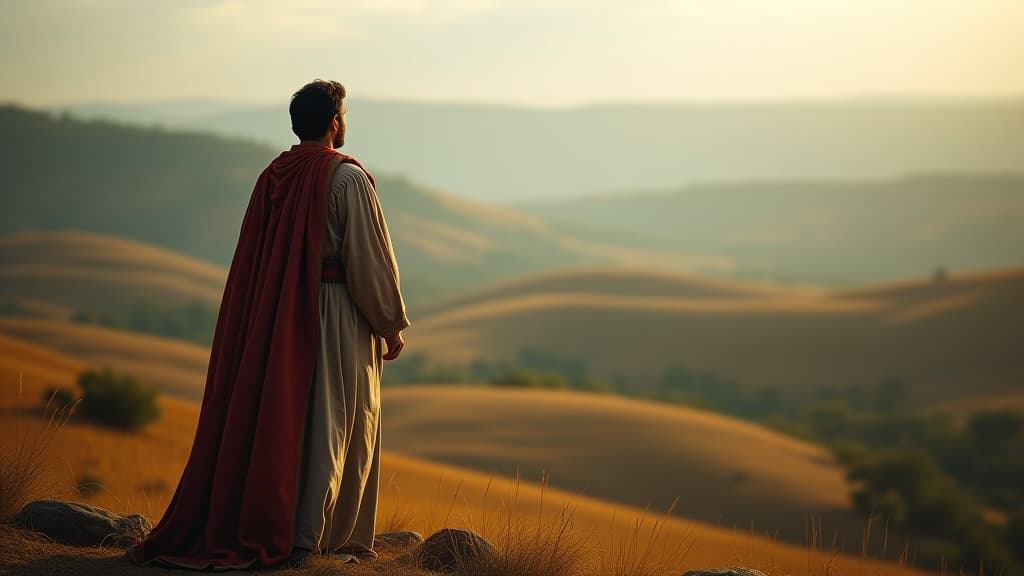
183, 191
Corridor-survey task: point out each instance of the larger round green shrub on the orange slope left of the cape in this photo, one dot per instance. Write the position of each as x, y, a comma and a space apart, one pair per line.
117, 401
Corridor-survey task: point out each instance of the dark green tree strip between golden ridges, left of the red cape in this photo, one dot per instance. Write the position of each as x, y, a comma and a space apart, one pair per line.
194, 321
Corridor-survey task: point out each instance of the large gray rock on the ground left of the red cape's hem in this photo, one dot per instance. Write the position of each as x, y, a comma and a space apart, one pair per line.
82, 525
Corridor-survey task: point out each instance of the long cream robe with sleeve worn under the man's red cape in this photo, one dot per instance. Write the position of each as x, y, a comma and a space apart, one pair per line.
337, 505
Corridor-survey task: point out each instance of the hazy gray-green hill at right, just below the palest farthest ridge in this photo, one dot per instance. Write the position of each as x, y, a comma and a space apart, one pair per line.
838, 233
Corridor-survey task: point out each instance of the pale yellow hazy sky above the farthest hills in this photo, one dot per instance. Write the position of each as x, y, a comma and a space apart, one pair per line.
515, 52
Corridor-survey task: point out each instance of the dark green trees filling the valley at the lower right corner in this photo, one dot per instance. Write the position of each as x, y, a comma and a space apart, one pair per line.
958, 489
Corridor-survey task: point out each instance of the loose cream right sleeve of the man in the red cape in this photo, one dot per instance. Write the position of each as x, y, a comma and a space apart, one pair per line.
371, 268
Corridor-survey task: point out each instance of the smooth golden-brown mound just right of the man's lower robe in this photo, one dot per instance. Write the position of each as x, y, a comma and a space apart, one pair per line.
637, 454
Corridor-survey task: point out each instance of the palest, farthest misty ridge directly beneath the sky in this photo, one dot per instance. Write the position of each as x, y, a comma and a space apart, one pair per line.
508, 154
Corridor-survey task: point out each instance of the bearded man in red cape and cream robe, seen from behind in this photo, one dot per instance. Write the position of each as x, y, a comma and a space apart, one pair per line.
287, 452
